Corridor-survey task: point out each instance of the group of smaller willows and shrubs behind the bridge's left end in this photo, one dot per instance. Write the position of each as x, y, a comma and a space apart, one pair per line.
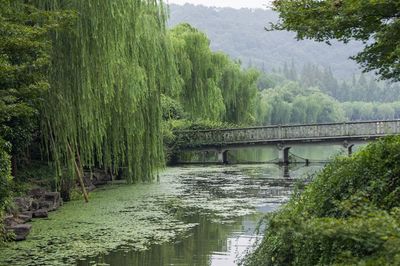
211, 89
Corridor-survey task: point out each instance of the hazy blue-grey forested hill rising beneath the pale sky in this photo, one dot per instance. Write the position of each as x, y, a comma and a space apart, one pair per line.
241, 34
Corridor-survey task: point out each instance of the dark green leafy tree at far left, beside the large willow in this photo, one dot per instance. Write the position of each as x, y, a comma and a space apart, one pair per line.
24, 63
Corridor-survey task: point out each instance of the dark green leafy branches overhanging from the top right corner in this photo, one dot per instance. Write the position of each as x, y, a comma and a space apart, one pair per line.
375, 23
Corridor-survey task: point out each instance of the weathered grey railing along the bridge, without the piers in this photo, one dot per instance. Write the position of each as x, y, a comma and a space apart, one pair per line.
288, 132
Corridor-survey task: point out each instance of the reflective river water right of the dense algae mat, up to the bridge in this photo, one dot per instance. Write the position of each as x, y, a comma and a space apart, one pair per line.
217, 242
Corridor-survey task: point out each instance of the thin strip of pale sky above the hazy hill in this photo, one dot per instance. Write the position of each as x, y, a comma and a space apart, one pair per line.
224, 3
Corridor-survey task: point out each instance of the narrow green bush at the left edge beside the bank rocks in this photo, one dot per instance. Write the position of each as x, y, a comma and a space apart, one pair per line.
5, 179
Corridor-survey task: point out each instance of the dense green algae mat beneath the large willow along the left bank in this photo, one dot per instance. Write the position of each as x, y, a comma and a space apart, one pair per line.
132, 217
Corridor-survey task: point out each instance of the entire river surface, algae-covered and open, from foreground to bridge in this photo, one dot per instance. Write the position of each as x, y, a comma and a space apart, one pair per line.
195, 215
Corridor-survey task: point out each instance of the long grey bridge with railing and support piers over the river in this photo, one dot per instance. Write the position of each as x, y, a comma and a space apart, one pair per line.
283, 136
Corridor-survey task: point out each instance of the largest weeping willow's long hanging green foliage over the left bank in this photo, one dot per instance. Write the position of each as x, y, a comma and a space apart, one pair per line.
106, 79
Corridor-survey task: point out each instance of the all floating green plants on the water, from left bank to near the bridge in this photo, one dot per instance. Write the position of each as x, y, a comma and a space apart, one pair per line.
121, 217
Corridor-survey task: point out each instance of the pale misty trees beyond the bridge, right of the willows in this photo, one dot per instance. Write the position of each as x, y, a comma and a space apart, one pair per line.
315, 95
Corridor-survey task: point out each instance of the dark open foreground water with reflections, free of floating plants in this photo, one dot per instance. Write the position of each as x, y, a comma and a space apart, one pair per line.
208, 244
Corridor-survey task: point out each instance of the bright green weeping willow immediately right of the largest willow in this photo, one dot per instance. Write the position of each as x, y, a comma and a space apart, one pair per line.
200, 95
